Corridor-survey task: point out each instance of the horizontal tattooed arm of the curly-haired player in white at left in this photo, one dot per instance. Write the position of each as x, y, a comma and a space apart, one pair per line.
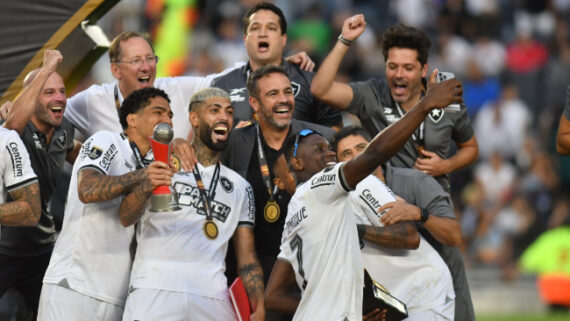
95, 186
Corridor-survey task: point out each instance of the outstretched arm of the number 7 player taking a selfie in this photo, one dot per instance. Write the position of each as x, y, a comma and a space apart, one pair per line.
389, 141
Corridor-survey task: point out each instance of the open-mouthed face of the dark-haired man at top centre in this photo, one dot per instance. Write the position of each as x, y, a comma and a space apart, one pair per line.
264, 40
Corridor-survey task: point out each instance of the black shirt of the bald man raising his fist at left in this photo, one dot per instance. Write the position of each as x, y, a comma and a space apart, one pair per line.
47, 162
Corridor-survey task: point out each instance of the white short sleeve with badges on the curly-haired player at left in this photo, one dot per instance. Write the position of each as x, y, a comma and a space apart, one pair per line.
99, 152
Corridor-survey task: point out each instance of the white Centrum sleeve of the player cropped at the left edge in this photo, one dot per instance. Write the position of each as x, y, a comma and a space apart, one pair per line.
15, 168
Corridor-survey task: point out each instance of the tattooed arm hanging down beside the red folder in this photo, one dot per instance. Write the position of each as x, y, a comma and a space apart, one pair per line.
249, 270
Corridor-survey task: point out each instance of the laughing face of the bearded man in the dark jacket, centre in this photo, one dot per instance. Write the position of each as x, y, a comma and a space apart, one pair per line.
275, 102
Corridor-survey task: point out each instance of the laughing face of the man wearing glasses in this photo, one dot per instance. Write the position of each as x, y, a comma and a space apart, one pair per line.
133, 76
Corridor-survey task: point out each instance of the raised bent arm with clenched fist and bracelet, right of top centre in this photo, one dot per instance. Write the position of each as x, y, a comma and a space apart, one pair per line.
333, 93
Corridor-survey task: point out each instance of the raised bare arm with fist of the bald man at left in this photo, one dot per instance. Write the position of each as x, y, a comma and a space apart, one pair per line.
24, 106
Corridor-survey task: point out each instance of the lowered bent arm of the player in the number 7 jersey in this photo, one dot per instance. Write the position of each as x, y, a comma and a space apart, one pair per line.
278, 296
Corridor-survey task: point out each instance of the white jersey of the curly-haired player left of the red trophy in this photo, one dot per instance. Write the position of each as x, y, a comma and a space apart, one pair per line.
92, 251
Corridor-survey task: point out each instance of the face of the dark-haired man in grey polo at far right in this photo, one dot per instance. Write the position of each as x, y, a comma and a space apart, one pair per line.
404, 74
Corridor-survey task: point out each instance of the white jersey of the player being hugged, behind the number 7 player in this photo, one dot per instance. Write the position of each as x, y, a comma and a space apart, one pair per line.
420, 278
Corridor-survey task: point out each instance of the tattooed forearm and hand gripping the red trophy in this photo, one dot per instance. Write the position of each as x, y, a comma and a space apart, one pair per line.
133, 206
